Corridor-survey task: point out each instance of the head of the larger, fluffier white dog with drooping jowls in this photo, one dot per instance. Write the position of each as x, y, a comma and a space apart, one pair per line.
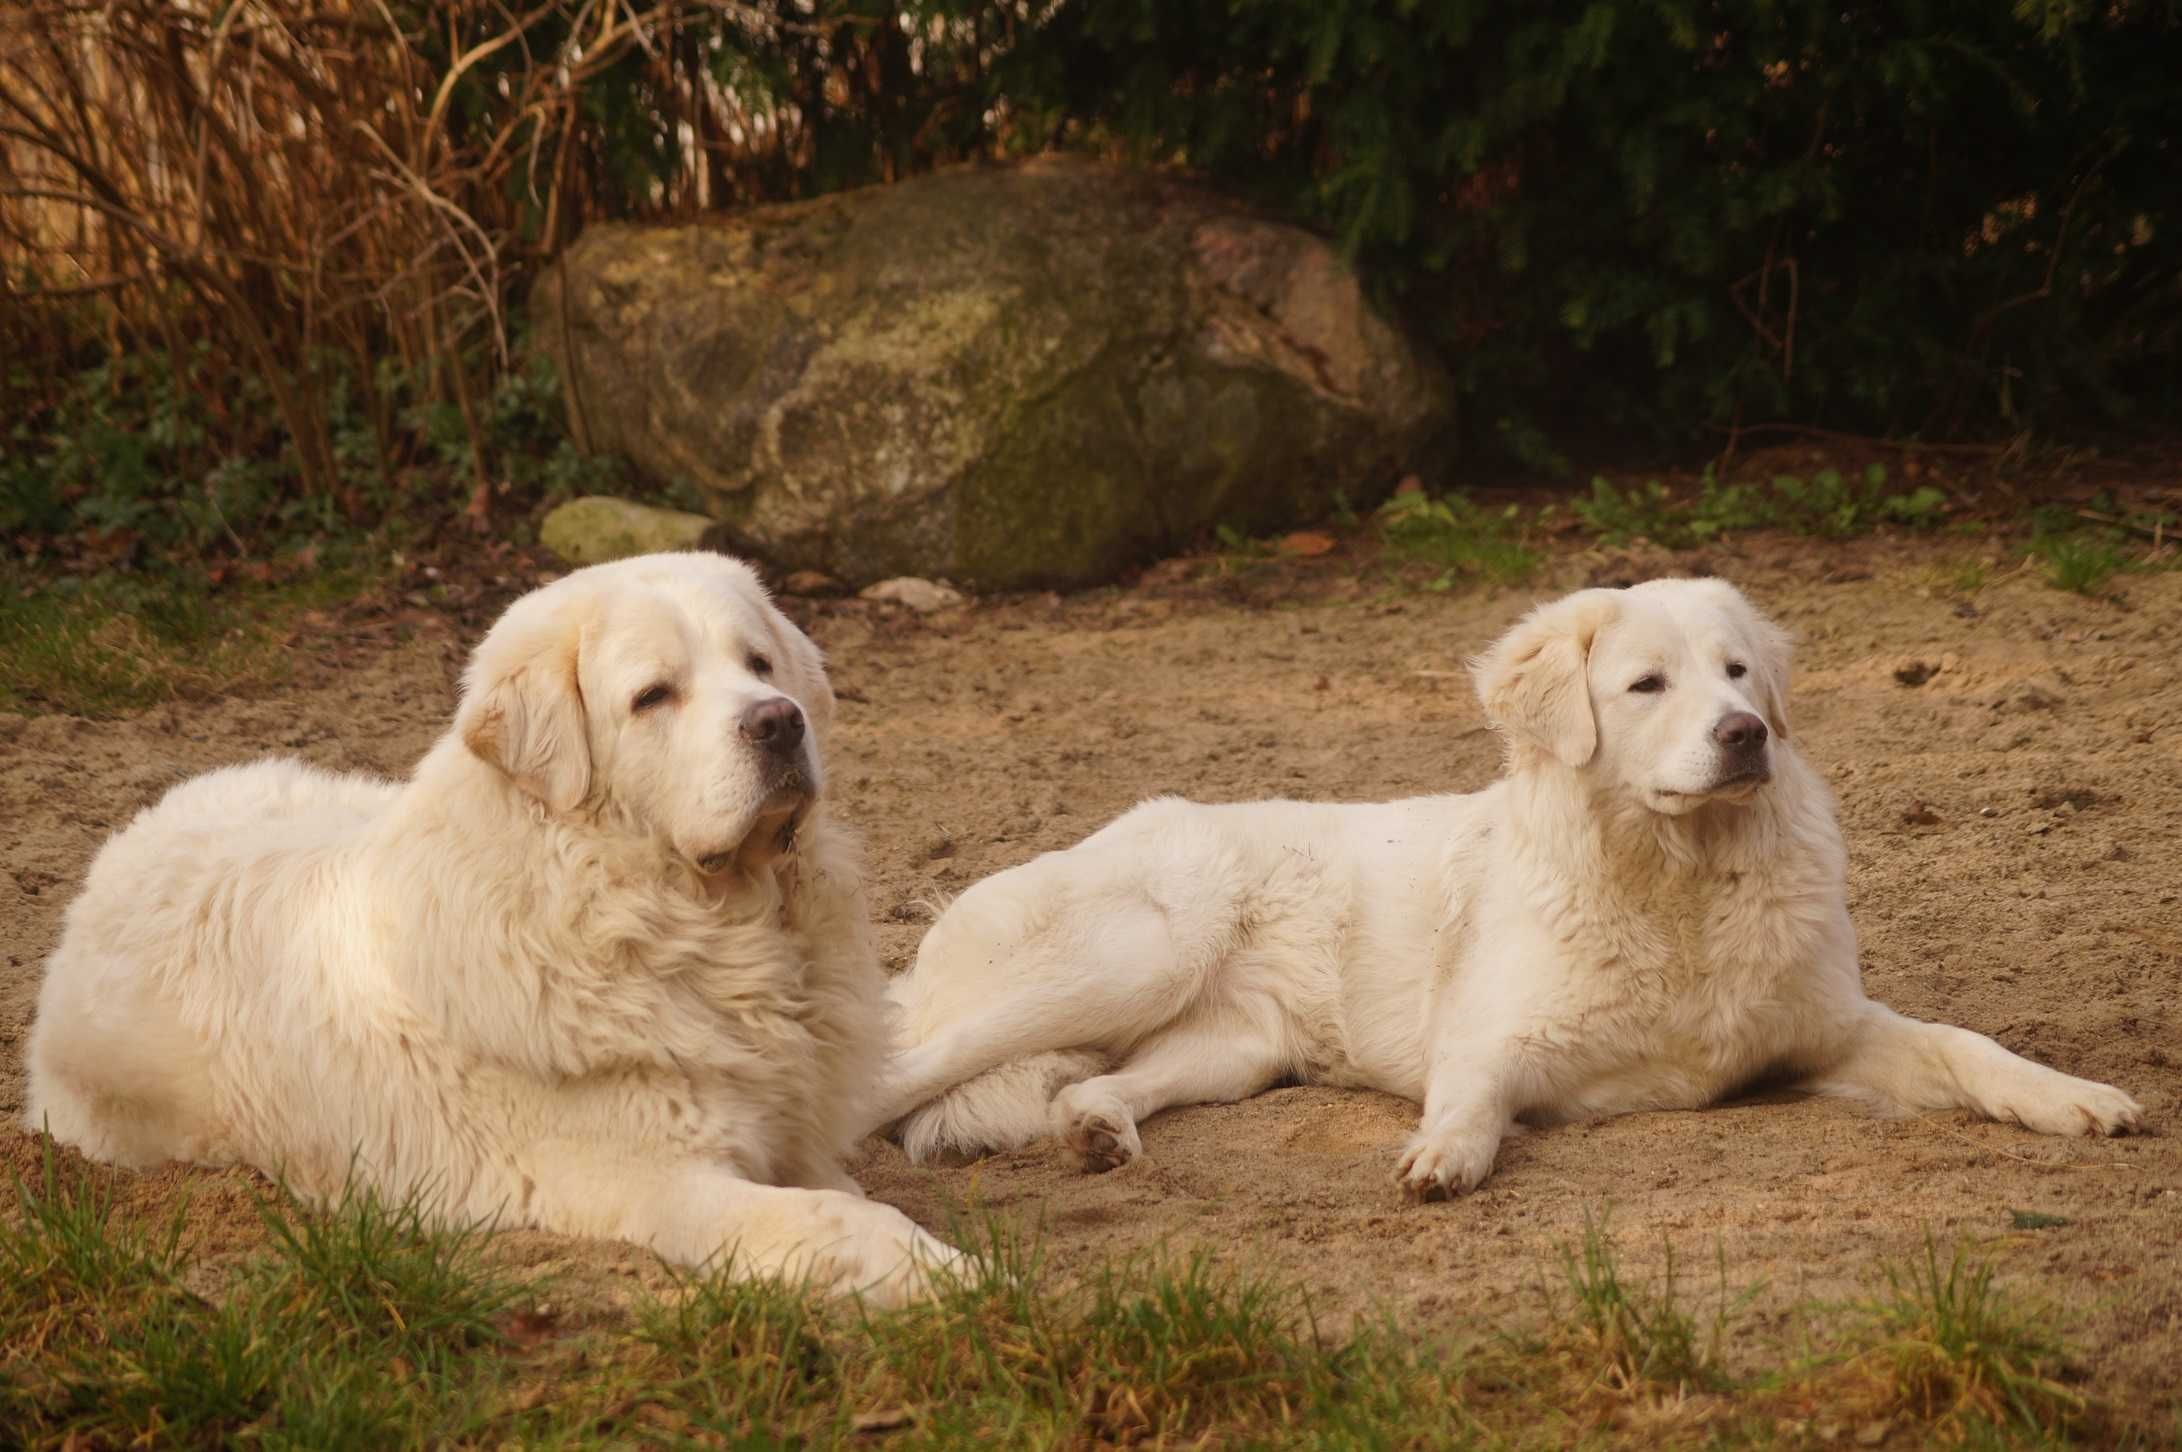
662, 691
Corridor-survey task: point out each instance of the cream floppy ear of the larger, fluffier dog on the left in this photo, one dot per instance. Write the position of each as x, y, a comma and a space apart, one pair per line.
523, 709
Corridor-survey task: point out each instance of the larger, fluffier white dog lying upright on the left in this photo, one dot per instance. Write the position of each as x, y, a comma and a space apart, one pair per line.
601, 966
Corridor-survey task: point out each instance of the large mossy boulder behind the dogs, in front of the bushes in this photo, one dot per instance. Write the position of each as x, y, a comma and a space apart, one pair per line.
1027, 374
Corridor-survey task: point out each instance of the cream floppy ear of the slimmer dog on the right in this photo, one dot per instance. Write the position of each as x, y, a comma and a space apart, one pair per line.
1533, 682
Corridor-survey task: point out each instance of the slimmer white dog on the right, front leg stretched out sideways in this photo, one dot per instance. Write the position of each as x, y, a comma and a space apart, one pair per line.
1646, 912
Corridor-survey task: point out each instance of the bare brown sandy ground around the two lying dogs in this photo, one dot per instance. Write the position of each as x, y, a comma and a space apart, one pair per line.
2011, 781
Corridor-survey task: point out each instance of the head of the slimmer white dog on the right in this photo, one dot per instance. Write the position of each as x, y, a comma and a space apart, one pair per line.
1675, 691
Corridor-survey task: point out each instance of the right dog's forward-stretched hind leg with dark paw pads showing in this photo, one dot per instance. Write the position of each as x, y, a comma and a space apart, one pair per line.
1210, 1058
